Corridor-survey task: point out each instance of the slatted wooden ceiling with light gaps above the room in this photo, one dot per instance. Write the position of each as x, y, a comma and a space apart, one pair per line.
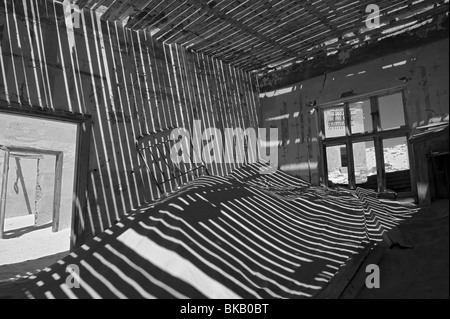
259, 35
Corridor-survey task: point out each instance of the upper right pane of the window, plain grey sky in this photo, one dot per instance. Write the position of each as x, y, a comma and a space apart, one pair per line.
391, 111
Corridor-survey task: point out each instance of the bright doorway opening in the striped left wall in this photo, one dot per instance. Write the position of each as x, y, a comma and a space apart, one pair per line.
38, 169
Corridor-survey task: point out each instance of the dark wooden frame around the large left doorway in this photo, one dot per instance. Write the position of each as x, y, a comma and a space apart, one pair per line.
79, 231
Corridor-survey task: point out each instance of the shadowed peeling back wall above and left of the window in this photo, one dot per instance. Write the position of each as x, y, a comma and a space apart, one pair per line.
422, 71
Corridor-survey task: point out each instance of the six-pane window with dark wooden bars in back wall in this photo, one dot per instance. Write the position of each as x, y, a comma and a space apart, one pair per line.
365, 142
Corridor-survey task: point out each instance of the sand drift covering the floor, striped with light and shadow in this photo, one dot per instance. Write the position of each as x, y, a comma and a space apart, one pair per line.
244, 236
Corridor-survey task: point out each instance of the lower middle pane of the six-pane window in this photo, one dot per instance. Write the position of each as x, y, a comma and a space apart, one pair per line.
365, 165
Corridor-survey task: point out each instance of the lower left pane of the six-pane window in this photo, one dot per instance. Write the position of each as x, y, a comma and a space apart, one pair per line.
337, 161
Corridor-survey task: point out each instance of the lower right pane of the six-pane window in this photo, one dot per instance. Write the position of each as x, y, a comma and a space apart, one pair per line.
396, 162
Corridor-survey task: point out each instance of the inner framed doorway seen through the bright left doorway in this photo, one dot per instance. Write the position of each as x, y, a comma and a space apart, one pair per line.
32, 187
